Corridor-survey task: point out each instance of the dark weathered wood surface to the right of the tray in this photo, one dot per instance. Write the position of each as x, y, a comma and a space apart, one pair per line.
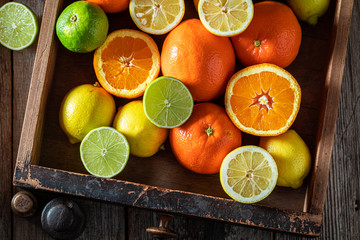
341, 220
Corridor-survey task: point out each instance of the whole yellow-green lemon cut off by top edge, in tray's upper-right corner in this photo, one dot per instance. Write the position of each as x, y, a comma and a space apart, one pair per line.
309, 10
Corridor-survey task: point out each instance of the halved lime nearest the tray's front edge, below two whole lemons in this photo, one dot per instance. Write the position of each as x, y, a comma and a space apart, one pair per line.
104, 152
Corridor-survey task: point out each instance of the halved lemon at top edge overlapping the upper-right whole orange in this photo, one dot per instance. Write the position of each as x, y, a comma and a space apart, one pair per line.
226, 17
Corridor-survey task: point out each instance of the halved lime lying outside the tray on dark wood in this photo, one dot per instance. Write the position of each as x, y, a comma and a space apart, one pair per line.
18, 26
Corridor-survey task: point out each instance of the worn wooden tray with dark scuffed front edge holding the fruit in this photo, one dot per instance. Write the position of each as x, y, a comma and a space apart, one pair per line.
47, 161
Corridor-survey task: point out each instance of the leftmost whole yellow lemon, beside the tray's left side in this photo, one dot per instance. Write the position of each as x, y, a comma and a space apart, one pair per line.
85, 108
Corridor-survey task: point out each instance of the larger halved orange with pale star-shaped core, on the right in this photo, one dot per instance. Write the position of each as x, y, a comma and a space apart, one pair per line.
263, 99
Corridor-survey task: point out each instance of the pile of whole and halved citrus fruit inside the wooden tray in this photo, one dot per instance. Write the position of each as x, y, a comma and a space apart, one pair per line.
190, 91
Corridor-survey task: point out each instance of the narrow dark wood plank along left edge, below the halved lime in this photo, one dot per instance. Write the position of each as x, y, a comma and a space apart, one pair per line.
5, 140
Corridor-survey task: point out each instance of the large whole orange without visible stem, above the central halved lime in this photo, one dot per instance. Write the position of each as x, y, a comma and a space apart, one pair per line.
202, 61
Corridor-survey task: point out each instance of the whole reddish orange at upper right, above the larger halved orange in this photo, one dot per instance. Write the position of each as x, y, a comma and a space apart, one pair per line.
273, 36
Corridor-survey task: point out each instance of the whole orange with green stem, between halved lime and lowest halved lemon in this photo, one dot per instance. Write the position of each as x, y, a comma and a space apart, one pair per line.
202, 143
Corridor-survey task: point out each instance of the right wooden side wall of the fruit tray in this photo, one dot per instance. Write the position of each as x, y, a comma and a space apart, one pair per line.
332, 86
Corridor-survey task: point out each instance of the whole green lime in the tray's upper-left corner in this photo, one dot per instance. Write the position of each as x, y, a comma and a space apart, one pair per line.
82, 27
